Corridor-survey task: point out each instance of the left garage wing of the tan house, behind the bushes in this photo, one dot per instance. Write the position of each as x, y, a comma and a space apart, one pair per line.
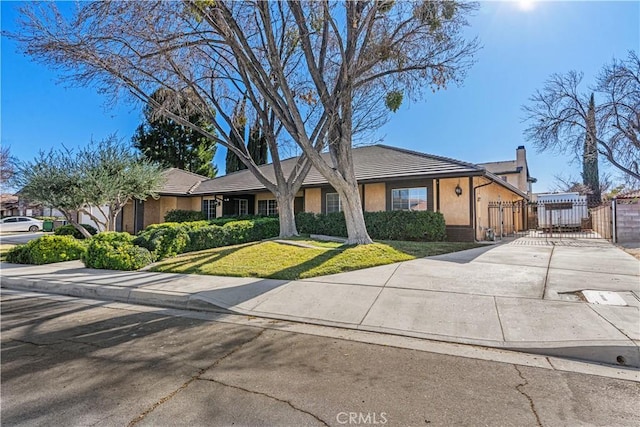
175, 194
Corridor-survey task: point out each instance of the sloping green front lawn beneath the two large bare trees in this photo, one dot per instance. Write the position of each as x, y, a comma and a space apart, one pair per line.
283, 261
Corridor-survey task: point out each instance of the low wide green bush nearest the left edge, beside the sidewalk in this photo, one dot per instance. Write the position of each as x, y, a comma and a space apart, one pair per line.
47, 250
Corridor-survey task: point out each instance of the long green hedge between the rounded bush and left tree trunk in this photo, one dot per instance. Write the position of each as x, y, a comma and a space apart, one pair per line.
169, 239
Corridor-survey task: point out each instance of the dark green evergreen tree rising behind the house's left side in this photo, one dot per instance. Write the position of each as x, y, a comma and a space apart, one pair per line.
170, 144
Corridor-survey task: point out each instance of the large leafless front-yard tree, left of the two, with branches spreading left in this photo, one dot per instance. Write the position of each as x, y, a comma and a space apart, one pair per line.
141, 48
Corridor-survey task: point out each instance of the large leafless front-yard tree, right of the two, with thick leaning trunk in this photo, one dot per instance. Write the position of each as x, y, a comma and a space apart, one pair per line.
371, 48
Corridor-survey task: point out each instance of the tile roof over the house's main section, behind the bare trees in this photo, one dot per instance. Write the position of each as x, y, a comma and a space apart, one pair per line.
371, 163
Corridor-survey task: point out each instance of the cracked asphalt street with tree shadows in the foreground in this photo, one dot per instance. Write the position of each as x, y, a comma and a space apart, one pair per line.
69, 362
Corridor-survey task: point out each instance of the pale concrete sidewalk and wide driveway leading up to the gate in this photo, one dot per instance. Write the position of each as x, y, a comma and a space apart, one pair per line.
523, 295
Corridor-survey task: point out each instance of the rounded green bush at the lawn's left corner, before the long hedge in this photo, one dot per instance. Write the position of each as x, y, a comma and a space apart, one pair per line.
115, 251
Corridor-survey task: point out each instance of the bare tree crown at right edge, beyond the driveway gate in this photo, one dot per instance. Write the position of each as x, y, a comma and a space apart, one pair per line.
559, 117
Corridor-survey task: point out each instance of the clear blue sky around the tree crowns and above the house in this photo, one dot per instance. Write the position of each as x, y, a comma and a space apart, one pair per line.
481, 121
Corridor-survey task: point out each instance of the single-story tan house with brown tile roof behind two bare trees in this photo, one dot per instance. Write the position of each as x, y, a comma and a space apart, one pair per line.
390, 178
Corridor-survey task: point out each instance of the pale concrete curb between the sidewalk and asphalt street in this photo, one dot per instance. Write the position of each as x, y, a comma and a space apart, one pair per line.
612, 352
